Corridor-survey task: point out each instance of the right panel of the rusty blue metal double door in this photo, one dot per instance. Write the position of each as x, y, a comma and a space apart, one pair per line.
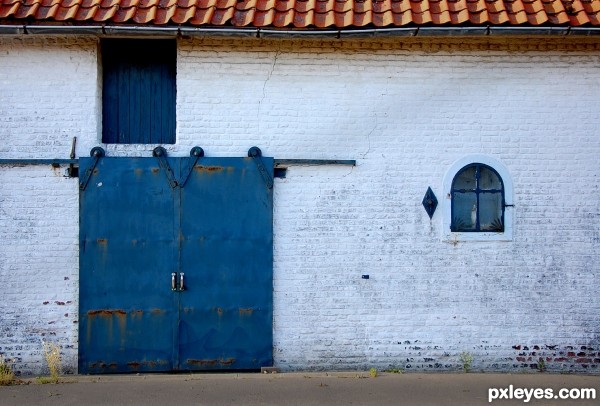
227, 256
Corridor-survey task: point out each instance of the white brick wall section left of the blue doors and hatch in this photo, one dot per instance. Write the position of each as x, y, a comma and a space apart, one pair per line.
48, 95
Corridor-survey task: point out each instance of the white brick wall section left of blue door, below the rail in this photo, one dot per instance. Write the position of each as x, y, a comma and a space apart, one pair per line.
38, 266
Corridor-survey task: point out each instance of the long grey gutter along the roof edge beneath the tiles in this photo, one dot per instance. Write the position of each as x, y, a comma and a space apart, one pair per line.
153, 31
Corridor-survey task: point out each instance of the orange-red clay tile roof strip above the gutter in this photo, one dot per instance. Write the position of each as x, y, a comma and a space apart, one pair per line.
308, 13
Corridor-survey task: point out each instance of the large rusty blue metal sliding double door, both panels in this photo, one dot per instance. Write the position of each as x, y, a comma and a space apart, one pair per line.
172, 277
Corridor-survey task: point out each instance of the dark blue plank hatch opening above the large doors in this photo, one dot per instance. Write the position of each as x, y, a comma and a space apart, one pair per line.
138, 92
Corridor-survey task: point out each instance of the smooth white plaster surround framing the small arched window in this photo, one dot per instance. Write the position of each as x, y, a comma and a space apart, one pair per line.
451, 236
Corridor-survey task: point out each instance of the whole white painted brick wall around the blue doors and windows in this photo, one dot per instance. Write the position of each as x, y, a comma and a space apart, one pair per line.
405, 116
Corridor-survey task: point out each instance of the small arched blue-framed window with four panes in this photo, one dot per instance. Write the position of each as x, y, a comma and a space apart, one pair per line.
477, 196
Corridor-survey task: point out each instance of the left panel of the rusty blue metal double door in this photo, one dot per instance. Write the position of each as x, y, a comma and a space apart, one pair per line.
128, 313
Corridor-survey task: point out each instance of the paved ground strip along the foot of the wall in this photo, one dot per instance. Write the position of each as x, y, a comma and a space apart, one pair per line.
294, 389
